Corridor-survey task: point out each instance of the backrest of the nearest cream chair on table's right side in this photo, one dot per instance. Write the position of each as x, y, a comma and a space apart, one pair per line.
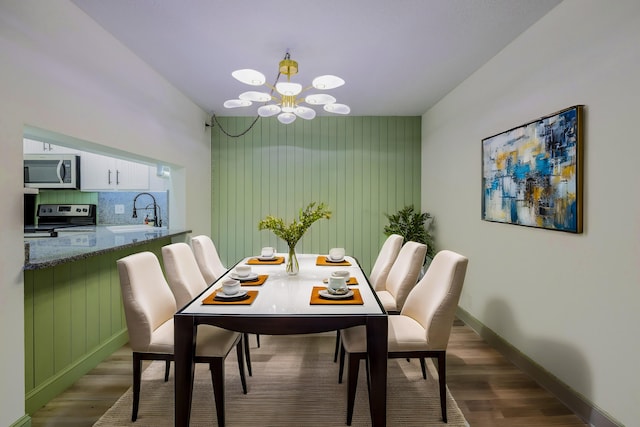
433, 302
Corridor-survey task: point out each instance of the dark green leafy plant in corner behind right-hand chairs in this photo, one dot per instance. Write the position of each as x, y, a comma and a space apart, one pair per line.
411, 225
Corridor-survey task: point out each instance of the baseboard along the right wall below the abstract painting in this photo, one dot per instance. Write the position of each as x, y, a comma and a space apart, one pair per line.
584, 409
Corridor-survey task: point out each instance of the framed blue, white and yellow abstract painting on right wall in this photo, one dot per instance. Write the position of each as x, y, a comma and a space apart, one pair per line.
532, 174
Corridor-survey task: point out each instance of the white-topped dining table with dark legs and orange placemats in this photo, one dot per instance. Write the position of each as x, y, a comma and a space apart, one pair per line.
277, 303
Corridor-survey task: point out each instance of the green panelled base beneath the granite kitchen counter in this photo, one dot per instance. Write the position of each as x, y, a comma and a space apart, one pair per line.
74, 318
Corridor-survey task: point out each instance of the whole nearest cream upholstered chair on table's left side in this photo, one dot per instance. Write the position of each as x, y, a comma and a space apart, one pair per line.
149, 306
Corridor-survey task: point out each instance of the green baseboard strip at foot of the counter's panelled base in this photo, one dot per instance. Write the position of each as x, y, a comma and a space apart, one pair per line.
41, 395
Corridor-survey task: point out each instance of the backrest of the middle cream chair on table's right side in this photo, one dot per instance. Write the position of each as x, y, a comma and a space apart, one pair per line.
404, 272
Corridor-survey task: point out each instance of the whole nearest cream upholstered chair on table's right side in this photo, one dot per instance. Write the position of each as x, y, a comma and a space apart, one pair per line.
422, 328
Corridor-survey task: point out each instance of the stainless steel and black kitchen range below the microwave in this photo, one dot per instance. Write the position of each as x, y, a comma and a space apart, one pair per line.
56, 217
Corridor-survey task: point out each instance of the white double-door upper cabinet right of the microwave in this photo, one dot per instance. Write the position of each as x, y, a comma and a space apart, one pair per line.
98, 172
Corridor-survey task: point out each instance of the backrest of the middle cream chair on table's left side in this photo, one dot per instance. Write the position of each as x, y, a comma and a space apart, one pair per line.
183, 274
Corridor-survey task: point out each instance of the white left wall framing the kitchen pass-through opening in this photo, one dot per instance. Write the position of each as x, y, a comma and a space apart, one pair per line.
62, 72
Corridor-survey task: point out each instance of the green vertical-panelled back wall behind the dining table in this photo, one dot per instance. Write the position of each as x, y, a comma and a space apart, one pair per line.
362, 167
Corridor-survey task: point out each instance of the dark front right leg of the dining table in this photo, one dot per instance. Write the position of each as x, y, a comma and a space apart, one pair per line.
377, 347
